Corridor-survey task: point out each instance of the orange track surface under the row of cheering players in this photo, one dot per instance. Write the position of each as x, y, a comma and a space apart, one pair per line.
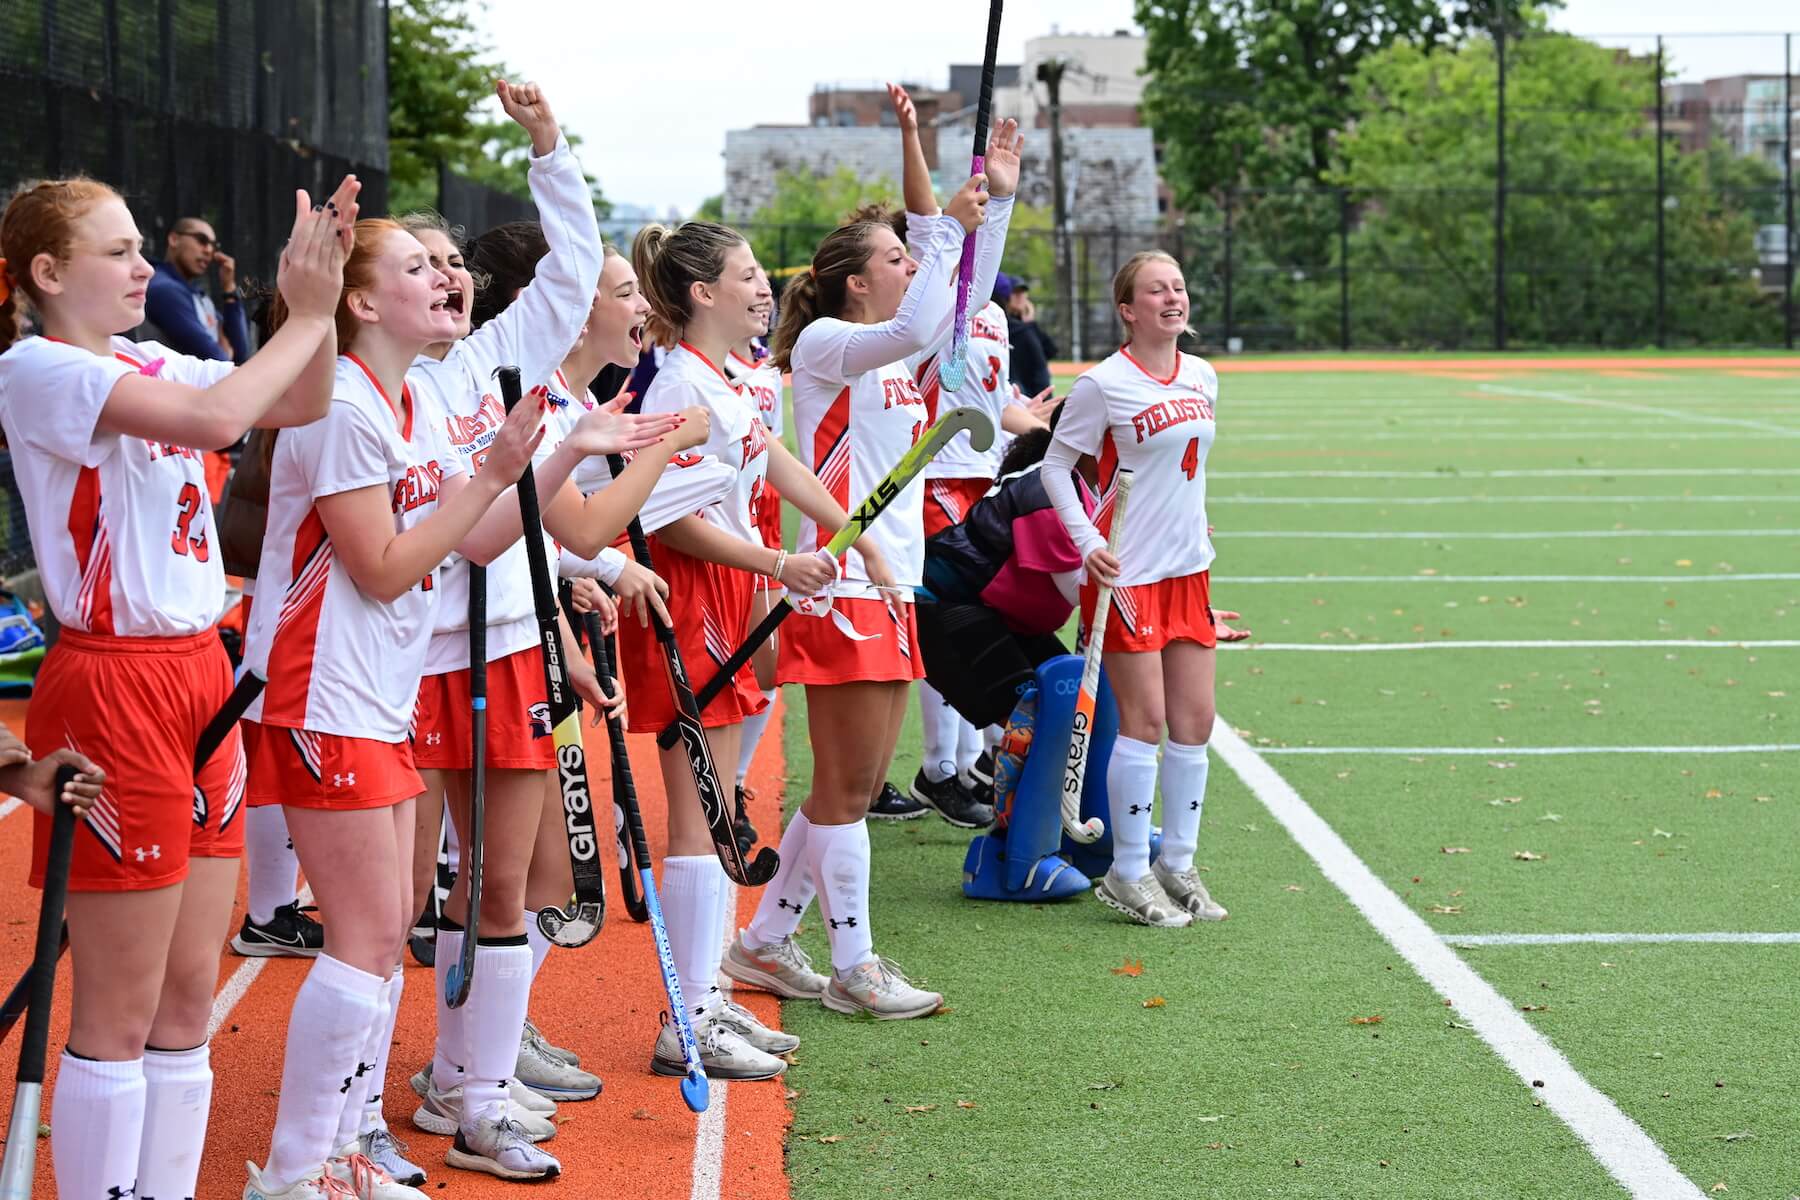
636, 1140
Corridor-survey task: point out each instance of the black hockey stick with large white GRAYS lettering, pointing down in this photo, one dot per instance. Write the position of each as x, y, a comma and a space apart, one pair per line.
579, 924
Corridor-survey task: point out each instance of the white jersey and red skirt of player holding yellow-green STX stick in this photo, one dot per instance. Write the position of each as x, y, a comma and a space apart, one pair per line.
708, 602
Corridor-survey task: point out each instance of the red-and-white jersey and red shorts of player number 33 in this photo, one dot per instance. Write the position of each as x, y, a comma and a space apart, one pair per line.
123, 535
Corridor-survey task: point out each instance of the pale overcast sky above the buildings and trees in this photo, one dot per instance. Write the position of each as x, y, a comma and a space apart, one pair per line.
654, 87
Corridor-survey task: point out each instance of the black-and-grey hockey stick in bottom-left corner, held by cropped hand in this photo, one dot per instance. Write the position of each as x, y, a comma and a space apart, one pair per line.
21, 1163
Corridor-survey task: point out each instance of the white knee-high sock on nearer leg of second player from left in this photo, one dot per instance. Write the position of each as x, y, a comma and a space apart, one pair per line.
327, 1032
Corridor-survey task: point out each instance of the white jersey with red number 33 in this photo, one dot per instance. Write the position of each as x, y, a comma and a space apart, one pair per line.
121, 526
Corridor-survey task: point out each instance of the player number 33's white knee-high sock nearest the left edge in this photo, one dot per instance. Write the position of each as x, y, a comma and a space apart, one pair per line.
96, 1127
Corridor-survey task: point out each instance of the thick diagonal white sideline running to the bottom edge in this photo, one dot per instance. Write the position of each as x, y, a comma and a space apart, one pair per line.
1615, 1140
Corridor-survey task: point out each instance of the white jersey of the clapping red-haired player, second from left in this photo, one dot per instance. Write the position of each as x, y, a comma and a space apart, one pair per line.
336, 659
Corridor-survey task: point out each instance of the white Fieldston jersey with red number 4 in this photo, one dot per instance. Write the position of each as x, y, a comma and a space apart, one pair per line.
1160, 429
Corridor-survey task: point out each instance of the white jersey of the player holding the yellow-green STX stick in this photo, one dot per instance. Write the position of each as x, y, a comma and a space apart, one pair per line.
735, 438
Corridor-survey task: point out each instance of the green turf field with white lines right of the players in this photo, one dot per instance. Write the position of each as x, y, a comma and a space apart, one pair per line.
1515, 512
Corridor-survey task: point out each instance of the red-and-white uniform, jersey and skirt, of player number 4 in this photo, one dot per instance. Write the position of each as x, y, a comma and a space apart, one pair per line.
1162, 431
